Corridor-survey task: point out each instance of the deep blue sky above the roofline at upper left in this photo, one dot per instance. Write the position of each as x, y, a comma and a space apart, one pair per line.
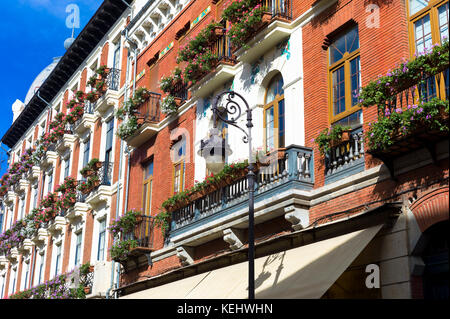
33, 32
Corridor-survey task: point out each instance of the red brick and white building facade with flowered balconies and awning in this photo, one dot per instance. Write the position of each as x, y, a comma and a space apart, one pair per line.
322, 219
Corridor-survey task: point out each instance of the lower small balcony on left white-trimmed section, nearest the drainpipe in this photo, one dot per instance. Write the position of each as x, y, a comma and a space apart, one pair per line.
101, 190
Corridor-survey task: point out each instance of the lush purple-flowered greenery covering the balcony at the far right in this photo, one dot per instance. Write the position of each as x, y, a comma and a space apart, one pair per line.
397, 122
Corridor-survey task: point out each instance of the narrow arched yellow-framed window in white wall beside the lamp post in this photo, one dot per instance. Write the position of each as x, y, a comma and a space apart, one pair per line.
274, 128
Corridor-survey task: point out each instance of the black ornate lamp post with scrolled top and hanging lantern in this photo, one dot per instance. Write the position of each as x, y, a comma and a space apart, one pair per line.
227, 107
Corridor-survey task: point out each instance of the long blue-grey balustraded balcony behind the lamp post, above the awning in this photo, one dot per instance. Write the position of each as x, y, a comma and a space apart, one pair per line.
202, 219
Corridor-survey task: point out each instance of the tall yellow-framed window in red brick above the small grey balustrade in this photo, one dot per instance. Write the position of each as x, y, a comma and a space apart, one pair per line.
344, 73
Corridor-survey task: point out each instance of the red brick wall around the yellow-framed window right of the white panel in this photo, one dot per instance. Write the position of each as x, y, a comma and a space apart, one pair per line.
380, 49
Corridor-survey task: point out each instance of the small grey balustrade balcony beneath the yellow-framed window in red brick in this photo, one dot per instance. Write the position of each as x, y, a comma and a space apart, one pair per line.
346, 158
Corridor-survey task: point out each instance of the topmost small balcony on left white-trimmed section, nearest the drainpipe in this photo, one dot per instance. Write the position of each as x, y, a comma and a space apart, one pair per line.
109, 99
